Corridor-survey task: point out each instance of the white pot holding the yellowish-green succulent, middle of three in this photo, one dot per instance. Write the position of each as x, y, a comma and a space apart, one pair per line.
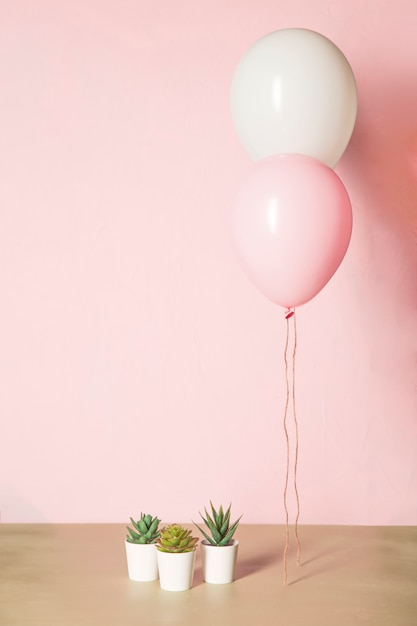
176, 570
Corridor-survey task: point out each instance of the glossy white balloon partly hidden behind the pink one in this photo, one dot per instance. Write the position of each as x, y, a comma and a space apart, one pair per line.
294, 91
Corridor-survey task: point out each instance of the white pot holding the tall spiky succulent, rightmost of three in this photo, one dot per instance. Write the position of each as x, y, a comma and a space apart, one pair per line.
219, 562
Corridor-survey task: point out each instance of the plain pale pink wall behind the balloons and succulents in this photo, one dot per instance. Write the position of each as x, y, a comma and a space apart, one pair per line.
139, 369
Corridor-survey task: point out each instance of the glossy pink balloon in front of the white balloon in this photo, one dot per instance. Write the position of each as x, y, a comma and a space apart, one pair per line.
291, 226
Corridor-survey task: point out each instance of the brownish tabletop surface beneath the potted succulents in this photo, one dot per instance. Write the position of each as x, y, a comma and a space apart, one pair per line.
75, 575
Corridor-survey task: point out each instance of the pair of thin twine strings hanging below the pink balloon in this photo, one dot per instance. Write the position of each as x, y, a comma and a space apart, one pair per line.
288, 315
